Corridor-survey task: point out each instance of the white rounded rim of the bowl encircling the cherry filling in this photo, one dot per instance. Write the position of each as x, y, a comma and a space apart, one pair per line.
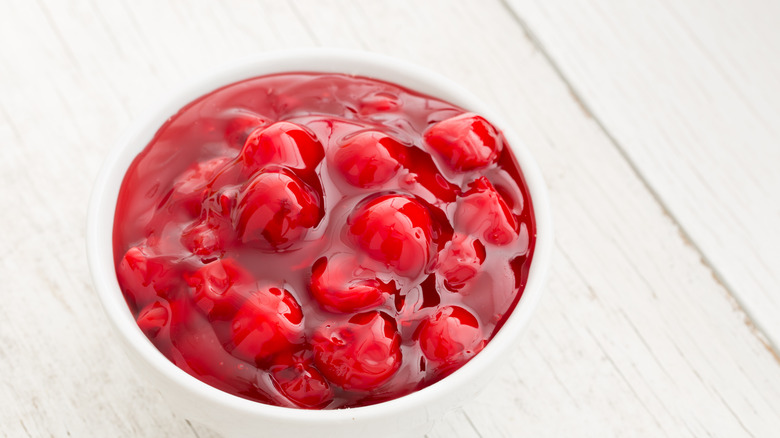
100, 218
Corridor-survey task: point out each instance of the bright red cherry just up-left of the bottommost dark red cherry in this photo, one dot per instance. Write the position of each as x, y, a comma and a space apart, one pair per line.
269, 321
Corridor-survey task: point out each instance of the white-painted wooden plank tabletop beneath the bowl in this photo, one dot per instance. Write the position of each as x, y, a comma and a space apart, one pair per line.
656, 125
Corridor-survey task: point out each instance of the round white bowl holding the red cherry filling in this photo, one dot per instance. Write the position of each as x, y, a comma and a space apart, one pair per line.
232, 416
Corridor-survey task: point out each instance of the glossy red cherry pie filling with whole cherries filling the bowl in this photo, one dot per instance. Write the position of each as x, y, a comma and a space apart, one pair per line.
322, 241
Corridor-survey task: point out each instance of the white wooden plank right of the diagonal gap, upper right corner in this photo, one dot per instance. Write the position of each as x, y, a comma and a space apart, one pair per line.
689, 93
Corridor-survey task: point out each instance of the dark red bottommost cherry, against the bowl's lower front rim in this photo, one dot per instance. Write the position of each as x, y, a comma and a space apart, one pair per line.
302, 383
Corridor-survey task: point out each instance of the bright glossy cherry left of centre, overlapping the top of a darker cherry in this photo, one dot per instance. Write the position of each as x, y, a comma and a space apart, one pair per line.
283, 143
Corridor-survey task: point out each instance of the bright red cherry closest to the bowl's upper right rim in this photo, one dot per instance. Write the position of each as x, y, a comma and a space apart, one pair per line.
466, 141
